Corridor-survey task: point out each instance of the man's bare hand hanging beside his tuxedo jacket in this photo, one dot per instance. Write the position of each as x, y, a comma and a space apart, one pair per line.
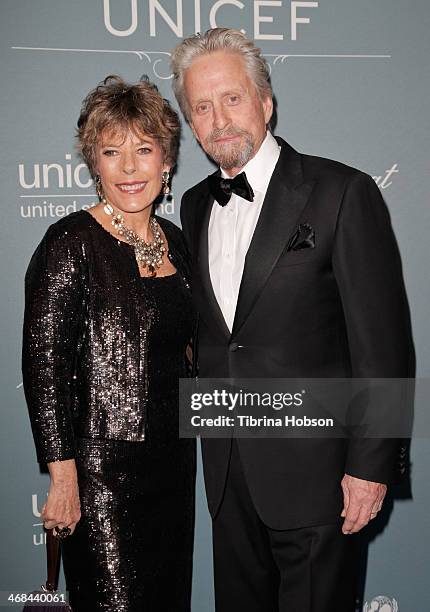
362, 500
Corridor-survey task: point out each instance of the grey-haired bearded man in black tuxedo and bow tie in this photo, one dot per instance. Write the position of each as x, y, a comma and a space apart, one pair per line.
296, 274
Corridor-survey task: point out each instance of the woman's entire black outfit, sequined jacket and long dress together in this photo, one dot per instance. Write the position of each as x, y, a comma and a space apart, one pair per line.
103, 350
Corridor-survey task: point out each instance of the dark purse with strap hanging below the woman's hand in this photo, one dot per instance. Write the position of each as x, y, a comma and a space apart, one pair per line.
48, 600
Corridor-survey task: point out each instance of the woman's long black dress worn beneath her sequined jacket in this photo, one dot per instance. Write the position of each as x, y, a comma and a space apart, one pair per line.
137, 498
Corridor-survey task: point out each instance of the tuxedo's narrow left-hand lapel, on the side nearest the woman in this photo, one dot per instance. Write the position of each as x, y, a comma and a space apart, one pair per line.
209, 301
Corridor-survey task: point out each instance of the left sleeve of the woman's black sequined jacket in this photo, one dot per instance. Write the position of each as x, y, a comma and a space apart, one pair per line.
53, 305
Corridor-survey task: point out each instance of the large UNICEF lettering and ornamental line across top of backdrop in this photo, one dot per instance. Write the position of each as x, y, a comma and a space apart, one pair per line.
274, 21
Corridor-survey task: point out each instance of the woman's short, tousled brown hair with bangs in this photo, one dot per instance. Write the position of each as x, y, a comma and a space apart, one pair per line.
117, 105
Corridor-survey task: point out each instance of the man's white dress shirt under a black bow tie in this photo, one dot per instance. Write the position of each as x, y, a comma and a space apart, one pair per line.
232, 226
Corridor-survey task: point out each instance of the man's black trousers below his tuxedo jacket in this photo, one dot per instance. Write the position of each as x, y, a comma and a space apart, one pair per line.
258, 569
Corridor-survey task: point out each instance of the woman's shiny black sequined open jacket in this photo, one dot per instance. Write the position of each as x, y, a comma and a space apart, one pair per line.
85, 335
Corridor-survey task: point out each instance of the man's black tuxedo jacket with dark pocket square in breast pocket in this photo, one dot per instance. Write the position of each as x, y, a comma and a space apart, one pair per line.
337, 309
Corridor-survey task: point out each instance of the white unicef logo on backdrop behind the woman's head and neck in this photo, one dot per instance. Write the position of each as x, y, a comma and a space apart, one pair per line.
55, 189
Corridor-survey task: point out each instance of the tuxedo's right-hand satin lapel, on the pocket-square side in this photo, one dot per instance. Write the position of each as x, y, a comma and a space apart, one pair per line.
286, 197
